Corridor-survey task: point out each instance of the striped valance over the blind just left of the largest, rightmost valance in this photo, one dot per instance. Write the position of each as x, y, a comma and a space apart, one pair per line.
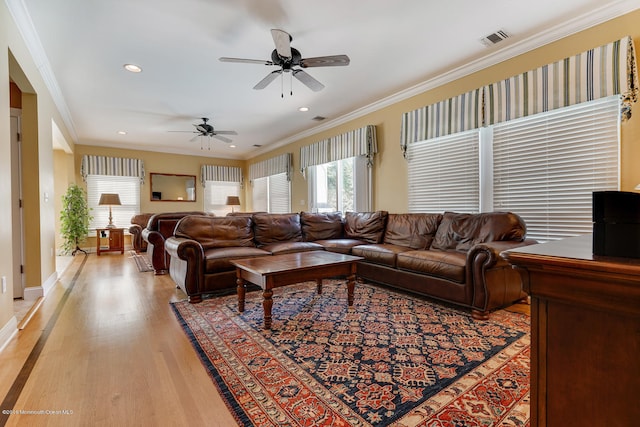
453, 115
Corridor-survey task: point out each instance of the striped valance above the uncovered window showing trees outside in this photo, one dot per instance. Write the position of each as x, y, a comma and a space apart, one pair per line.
358, 142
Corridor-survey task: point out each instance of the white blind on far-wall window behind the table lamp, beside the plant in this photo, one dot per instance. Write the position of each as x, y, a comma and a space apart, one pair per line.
127, 187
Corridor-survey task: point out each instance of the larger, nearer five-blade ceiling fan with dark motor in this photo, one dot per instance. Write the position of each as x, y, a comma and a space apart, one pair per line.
290, 60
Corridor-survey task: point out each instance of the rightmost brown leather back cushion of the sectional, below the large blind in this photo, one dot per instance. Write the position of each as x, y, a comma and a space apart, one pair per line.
462, 231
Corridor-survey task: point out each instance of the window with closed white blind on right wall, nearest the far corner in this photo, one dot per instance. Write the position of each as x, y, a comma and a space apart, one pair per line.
272, 194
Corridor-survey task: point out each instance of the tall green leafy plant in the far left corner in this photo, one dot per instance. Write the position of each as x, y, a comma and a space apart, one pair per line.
74, 219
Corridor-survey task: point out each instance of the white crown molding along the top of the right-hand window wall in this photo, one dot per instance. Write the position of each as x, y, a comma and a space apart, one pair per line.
573, 26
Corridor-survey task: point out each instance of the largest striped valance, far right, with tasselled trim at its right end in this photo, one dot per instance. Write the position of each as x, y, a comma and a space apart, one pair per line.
597, 73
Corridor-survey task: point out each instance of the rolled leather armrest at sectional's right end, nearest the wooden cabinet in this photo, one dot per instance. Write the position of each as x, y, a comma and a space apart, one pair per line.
493, 282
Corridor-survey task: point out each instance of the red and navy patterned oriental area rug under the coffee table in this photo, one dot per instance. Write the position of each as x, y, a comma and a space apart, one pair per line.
390, 359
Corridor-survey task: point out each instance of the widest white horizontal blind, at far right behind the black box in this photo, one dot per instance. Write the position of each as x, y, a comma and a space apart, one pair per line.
546, 166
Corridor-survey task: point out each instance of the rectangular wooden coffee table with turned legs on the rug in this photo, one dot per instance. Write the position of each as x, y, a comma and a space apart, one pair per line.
271, 272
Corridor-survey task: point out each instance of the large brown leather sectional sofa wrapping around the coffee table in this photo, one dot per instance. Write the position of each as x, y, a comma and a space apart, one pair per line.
452, 257
